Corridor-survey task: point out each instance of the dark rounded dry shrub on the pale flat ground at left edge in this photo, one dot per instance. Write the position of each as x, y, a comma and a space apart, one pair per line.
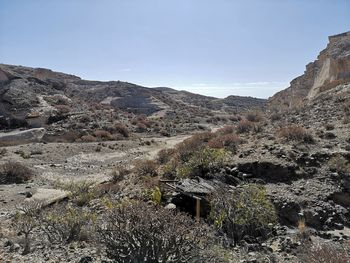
14, 173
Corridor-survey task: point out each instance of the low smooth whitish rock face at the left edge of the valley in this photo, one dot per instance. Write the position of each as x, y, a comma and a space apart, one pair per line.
17, 137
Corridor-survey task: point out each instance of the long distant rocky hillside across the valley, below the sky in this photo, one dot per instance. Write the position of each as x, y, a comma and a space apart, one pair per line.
34, 95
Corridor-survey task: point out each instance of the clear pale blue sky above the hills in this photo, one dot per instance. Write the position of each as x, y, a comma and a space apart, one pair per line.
213, 47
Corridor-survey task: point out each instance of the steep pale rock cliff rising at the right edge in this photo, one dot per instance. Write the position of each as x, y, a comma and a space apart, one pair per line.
331, 69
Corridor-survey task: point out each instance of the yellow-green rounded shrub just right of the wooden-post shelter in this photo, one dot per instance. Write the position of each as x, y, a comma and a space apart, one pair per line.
245, 211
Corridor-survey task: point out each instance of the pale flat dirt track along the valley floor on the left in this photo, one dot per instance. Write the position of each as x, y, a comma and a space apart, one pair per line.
54, 162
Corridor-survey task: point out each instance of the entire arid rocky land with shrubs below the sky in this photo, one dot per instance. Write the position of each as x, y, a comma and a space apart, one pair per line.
114, 172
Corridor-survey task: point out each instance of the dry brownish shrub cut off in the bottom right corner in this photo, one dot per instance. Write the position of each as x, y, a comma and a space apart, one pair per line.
326, 253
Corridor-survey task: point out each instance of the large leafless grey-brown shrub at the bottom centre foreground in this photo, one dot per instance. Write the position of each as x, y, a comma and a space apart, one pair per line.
161, 235
